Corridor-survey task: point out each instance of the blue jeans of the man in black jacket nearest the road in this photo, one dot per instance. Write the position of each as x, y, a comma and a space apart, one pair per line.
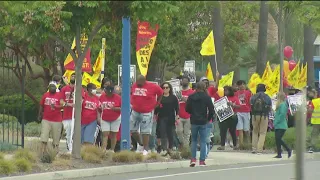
202, 131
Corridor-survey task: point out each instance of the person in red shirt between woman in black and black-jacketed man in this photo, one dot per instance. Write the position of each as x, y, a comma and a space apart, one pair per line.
183, 124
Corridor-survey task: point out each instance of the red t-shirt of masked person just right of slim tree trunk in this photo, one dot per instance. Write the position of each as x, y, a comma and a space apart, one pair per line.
90, 107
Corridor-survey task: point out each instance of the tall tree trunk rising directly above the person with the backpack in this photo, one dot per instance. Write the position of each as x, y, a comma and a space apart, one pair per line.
262, 38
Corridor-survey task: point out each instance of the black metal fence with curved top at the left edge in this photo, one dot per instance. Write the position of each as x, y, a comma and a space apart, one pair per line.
12, 83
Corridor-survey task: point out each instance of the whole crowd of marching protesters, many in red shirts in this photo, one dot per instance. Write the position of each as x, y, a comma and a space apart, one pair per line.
161, 123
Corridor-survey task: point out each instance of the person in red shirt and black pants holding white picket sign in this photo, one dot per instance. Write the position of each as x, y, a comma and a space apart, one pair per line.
231, 122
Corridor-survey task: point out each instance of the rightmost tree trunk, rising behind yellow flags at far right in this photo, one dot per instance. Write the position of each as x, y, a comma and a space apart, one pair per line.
308, 52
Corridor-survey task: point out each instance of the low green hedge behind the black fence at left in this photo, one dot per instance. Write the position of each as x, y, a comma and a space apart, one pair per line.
11, 105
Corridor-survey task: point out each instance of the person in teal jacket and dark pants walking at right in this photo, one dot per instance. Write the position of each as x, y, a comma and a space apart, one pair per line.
280, 124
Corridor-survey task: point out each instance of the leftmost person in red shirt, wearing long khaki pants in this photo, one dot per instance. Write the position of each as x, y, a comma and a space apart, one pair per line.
50, 117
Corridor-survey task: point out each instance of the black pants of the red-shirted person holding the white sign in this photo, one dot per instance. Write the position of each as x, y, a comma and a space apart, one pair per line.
231, 124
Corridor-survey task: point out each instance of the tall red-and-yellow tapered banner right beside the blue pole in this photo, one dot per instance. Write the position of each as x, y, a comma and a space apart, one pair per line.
146, 38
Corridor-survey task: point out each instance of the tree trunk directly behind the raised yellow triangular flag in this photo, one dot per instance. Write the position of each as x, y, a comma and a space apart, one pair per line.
218, 40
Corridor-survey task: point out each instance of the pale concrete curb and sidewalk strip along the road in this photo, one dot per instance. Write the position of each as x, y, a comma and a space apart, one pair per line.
215, 158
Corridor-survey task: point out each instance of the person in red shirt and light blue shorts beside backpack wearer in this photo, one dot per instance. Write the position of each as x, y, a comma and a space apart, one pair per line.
243, 114
